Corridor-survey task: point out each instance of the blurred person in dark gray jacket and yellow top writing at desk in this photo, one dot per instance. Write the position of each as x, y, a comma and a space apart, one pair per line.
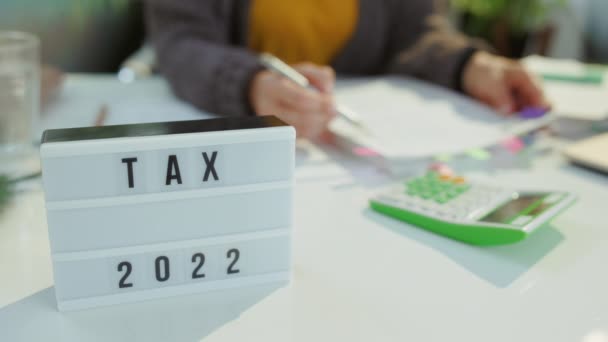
208, 51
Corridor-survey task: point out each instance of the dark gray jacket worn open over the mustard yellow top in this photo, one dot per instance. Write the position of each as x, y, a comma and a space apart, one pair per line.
202, 47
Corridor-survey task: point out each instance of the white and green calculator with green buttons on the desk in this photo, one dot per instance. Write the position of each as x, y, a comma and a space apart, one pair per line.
472, 213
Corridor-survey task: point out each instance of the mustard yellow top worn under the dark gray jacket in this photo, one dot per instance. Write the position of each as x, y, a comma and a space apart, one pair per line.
302, 30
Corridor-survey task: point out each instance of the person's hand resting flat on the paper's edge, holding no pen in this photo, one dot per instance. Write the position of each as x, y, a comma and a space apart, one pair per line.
501, 83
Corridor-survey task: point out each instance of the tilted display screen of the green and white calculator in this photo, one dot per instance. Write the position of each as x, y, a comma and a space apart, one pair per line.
529, 205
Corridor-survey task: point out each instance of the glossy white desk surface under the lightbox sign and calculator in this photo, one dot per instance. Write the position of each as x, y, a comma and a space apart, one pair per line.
358, 276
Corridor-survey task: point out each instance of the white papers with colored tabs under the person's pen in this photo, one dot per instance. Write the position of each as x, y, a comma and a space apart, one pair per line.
409, 120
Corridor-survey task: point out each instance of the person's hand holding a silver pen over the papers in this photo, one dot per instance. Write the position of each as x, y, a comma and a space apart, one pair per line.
307, 110
